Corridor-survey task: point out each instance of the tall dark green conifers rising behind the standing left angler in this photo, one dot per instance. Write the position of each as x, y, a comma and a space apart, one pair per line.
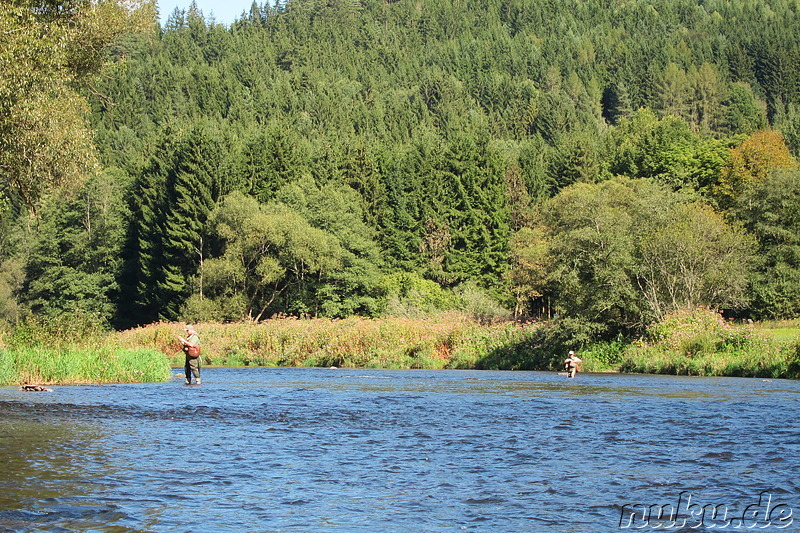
171, 202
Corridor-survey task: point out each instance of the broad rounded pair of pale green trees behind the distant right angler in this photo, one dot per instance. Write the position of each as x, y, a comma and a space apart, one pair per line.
626, 252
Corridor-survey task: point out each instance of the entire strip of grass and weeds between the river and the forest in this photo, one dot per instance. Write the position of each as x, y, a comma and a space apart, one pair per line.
694, 342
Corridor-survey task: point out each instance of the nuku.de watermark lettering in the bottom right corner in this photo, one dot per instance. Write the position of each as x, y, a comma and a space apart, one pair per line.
686, 514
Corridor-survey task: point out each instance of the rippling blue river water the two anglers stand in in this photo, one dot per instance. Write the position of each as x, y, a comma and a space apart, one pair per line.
345, 450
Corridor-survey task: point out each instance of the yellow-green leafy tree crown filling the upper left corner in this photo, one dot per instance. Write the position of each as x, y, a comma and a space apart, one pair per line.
49, 49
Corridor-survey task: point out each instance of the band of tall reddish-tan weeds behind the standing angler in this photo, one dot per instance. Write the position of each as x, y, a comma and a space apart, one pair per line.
447, 341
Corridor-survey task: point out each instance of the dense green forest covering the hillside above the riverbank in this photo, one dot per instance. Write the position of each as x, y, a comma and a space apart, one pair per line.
607, 162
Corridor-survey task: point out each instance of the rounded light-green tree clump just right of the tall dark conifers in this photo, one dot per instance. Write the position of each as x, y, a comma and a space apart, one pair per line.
311, 255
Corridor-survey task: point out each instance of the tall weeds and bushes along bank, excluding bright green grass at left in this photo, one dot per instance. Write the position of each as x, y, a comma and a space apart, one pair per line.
696, 342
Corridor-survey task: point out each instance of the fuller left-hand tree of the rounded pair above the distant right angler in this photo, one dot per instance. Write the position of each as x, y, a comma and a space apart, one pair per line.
592, 233
